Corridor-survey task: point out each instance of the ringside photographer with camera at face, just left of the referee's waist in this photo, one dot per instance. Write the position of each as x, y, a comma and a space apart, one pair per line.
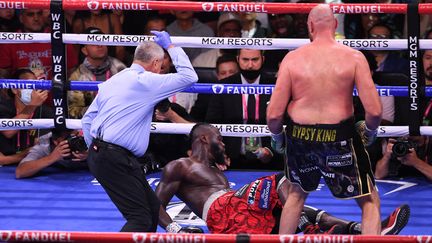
60, 148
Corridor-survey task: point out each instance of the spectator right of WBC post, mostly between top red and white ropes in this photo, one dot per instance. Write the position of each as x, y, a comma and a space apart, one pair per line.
106, 21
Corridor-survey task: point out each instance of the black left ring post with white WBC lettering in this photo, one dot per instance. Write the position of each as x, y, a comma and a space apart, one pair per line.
59, 80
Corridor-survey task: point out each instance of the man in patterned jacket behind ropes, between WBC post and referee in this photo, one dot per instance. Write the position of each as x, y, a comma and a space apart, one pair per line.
97, 66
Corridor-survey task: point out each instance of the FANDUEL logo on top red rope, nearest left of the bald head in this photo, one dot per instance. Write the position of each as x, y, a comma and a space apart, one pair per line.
234, 7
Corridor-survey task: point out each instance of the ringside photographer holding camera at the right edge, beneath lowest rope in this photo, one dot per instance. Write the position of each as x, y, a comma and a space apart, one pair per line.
406, 156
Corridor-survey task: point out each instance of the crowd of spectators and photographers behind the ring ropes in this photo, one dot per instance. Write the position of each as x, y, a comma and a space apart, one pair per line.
245, 66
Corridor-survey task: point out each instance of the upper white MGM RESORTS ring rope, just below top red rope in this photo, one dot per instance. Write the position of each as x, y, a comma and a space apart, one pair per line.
207, 42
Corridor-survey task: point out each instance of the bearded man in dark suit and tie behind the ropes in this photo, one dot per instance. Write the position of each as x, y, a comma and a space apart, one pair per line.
248, 152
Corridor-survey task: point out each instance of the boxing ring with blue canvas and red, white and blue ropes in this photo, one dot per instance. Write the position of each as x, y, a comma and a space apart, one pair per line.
72, 207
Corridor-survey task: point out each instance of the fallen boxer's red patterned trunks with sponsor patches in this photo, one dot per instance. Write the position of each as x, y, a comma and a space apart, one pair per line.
247, 210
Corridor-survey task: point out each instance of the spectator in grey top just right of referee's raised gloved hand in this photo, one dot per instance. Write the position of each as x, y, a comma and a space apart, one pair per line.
186, 25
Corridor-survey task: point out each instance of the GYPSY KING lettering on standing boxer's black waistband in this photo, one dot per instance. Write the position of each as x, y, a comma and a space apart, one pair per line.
314, 134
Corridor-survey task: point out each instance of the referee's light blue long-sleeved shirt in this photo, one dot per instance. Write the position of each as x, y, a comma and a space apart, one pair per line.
121, 112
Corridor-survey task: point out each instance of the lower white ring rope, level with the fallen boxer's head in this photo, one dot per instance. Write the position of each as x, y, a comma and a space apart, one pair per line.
230, 130
